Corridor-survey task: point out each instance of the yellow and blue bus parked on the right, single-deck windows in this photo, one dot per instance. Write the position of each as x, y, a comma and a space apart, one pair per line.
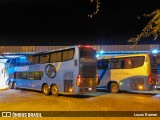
128, 72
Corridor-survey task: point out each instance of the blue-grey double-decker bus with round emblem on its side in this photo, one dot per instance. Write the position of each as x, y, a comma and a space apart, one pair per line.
71, 70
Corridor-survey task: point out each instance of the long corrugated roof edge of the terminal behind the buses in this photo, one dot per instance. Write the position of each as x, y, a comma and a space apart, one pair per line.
4, 49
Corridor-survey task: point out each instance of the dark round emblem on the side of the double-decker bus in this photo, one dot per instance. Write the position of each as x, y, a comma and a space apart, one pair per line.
50, 71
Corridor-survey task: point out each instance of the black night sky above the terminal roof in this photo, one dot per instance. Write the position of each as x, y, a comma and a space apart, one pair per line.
65, 22
